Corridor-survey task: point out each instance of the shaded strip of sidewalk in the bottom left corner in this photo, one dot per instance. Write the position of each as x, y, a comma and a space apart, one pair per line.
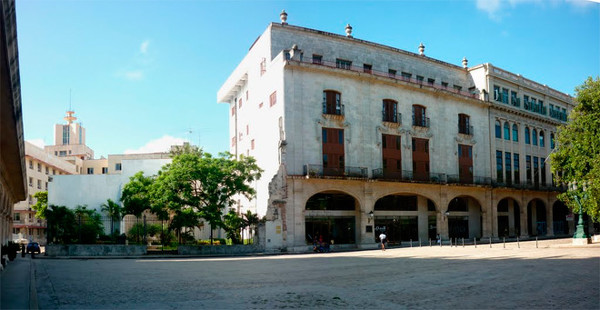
17, 284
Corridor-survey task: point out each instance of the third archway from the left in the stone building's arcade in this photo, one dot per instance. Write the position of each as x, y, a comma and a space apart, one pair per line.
464, 217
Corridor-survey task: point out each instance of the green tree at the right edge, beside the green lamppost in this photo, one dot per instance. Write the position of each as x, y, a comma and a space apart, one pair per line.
577, 157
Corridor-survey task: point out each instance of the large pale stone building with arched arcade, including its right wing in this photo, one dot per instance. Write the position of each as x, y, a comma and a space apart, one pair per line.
356, 138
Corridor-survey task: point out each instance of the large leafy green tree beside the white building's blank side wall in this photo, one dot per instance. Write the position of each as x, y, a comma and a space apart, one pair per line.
204, 184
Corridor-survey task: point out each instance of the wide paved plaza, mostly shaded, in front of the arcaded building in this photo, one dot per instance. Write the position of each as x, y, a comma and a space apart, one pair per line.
556, 275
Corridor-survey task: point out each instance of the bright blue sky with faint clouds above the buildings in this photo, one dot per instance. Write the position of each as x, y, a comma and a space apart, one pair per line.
142, 75
